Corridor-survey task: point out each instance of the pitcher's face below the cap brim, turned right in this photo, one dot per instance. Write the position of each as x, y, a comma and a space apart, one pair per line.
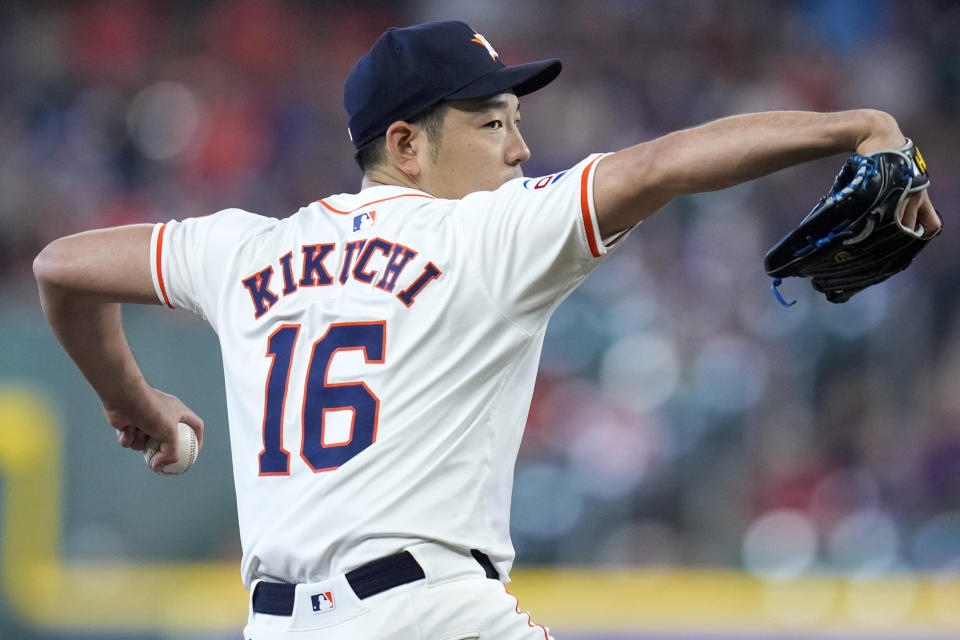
480, 148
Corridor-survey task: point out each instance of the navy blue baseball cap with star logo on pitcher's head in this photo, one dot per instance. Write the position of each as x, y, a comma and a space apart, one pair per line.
409, 70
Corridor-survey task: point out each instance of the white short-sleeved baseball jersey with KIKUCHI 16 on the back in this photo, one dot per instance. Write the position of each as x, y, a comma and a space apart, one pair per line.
379, 353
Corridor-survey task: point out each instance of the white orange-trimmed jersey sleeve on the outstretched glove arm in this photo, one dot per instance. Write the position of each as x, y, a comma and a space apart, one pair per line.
534, 240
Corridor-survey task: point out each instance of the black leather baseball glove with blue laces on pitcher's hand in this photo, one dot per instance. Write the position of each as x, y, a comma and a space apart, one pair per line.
854, 237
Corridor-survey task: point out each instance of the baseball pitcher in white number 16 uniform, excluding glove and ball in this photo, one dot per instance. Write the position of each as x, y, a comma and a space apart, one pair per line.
380, 347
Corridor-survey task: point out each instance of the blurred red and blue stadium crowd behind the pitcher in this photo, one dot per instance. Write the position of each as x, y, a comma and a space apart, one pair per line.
682, 417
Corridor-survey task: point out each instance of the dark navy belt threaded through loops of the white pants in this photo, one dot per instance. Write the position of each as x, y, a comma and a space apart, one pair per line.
276, 598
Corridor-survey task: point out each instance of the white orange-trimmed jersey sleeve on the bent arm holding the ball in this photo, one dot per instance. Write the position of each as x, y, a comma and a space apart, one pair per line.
191, 259
